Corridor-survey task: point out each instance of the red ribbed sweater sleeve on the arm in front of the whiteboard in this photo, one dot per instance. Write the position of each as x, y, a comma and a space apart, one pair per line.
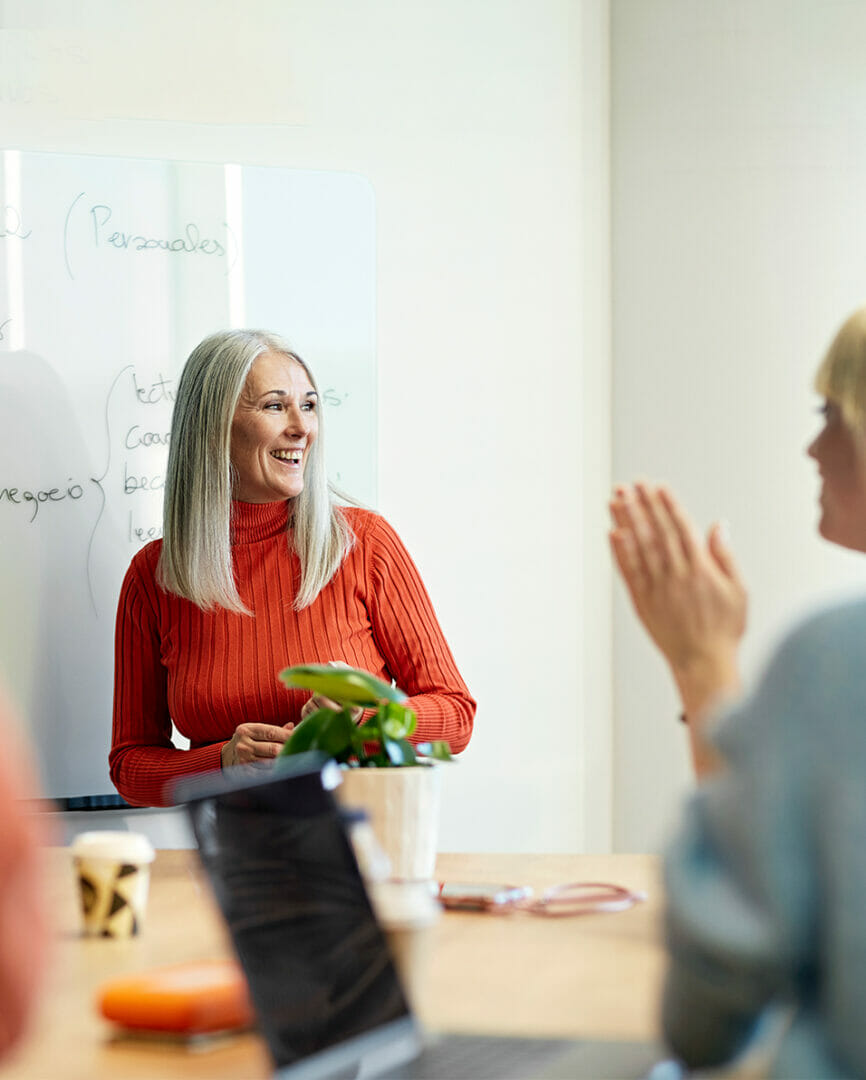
144, 763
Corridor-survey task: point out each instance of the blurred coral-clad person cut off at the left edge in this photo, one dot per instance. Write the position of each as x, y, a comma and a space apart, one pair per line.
23, 916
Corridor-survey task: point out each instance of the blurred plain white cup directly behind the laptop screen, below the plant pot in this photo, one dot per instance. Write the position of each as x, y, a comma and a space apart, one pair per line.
407, 913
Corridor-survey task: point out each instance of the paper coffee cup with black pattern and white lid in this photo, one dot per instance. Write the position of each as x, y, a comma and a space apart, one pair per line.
114, 876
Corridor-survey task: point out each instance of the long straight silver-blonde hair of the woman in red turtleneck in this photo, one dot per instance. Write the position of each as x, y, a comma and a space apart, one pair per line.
196, 560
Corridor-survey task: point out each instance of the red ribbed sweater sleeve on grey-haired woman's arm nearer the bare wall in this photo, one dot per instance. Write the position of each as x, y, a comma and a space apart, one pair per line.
412, 642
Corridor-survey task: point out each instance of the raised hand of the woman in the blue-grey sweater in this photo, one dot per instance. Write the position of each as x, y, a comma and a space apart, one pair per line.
688, 593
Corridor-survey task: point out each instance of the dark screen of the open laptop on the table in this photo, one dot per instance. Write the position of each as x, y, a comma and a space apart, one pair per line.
287, 881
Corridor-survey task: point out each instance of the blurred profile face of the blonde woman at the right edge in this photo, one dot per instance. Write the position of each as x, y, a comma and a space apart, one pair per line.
841, 453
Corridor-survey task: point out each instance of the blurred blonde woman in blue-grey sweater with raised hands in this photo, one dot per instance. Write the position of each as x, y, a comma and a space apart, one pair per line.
767, 879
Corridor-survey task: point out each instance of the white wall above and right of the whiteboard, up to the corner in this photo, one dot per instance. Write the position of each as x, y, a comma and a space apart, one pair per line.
482, 126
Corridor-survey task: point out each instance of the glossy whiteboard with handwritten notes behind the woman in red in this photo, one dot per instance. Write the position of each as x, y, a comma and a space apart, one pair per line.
111, 272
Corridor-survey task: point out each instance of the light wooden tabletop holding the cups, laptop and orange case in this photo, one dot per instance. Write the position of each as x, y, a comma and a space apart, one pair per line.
593, 976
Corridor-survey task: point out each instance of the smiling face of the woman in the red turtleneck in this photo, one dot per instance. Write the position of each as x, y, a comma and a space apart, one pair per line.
274, 430
